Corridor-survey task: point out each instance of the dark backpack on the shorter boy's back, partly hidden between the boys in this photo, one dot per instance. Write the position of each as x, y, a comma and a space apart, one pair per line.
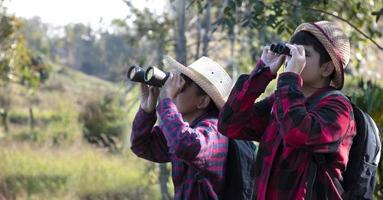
239, 179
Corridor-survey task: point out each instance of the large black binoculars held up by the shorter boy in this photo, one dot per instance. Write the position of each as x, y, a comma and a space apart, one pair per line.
151, 76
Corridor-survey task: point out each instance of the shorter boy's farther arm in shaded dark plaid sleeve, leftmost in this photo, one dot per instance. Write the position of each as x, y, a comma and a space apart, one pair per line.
147, 141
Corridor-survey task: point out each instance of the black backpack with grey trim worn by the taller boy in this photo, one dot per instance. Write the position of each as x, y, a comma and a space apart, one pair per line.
360, 175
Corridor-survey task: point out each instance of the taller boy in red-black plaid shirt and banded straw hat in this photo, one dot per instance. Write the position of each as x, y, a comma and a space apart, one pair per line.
289, 131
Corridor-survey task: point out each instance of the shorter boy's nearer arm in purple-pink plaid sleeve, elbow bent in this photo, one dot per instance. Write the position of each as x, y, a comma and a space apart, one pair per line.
192, 145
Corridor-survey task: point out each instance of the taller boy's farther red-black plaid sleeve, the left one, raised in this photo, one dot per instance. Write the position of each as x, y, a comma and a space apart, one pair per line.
241, 118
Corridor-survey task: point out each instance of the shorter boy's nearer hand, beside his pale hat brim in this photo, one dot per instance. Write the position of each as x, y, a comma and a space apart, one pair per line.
173, 85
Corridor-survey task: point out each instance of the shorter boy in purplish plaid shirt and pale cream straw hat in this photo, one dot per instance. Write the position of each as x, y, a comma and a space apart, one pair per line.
187, 135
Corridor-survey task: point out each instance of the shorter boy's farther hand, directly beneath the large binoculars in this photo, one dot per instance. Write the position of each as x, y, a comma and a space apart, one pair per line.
148, 97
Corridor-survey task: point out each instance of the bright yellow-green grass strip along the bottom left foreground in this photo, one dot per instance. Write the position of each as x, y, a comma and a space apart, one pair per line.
80, 171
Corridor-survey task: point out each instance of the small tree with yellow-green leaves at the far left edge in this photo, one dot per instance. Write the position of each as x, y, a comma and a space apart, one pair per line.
16, 64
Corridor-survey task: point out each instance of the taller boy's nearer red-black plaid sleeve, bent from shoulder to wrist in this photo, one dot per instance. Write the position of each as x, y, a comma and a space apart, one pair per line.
319, 130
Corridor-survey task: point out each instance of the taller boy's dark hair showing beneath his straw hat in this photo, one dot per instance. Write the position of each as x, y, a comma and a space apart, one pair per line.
306, 38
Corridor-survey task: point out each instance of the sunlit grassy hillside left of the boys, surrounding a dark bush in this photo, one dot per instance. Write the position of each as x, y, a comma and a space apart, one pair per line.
52, 160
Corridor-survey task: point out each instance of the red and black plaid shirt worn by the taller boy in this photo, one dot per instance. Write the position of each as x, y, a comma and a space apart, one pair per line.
289, 132
